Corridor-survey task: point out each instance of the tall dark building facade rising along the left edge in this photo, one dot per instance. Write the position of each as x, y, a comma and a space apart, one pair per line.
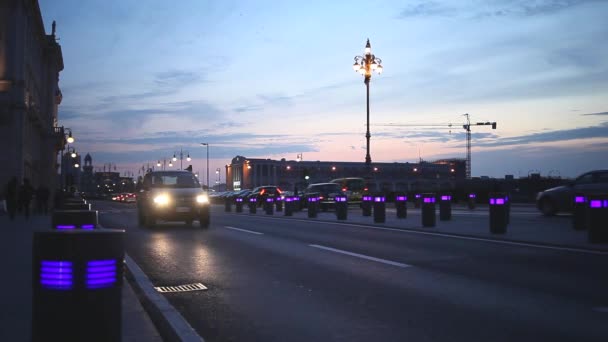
30, 62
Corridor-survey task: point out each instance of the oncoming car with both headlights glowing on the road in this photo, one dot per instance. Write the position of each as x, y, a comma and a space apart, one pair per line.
172, 196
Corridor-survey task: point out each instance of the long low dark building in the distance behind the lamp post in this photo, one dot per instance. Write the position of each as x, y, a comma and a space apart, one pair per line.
247, 173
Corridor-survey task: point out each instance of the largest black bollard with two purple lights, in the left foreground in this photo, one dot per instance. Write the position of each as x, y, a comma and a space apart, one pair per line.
77, 278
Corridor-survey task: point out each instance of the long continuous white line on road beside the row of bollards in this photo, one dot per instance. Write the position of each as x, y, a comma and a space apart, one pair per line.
453, 236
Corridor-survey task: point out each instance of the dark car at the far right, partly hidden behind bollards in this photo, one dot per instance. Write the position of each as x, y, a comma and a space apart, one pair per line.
561, 198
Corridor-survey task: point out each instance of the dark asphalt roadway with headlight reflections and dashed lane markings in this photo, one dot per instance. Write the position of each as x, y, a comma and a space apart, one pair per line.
281, 279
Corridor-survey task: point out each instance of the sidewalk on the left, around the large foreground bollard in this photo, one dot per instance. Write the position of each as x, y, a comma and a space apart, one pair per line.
16, 291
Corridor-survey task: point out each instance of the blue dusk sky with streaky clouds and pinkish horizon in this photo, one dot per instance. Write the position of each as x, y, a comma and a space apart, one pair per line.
274, 79
